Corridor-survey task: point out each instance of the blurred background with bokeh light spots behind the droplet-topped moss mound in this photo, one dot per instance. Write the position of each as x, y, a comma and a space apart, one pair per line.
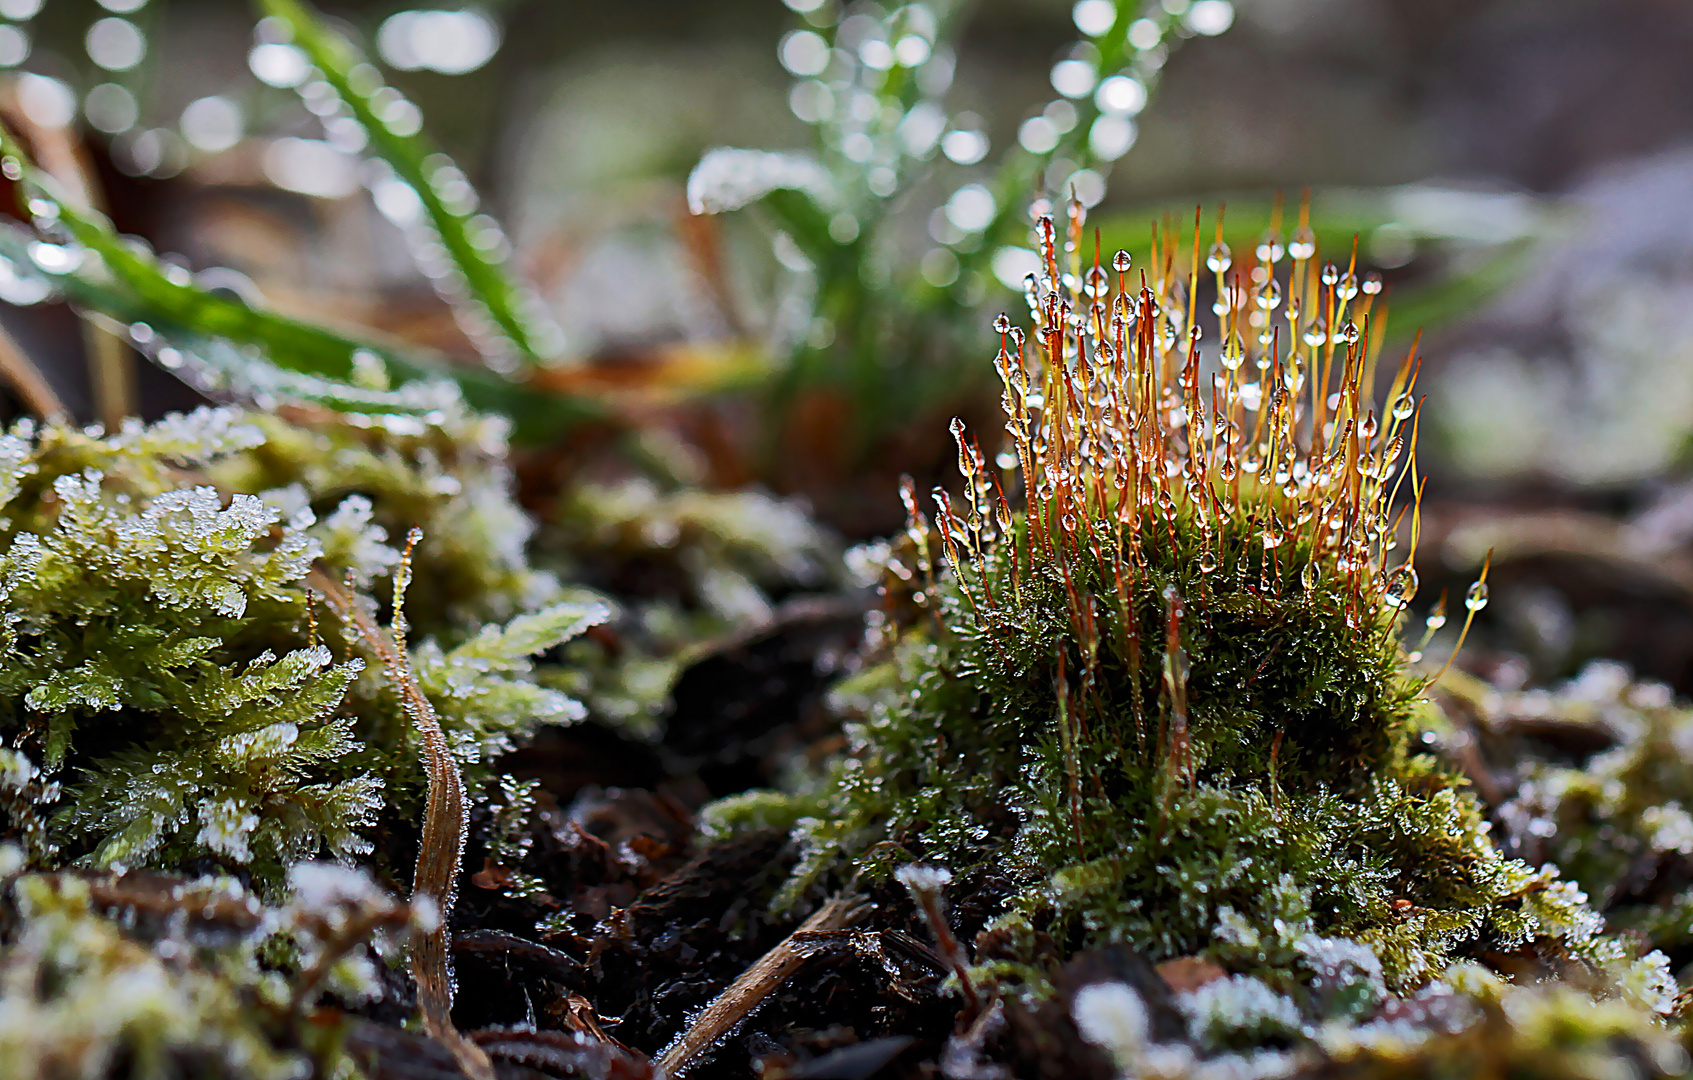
1519, 172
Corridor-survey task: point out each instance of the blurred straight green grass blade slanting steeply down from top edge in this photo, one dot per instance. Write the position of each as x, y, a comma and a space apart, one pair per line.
502, 316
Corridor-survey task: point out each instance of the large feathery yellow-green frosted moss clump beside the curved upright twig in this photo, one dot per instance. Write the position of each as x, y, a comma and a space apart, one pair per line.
165, 693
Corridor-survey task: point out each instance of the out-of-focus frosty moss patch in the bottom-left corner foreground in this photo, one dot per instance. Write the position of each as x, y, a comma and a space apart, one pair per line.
168, 978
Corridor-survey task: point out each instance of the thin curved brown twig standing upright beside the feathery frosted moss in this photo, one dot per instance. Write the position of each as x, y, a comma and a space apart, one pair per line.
444, 817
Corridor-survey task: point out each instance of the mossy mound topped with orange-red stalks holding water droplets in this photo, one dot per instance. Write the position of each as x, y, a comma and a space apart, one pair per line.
1166, 703
